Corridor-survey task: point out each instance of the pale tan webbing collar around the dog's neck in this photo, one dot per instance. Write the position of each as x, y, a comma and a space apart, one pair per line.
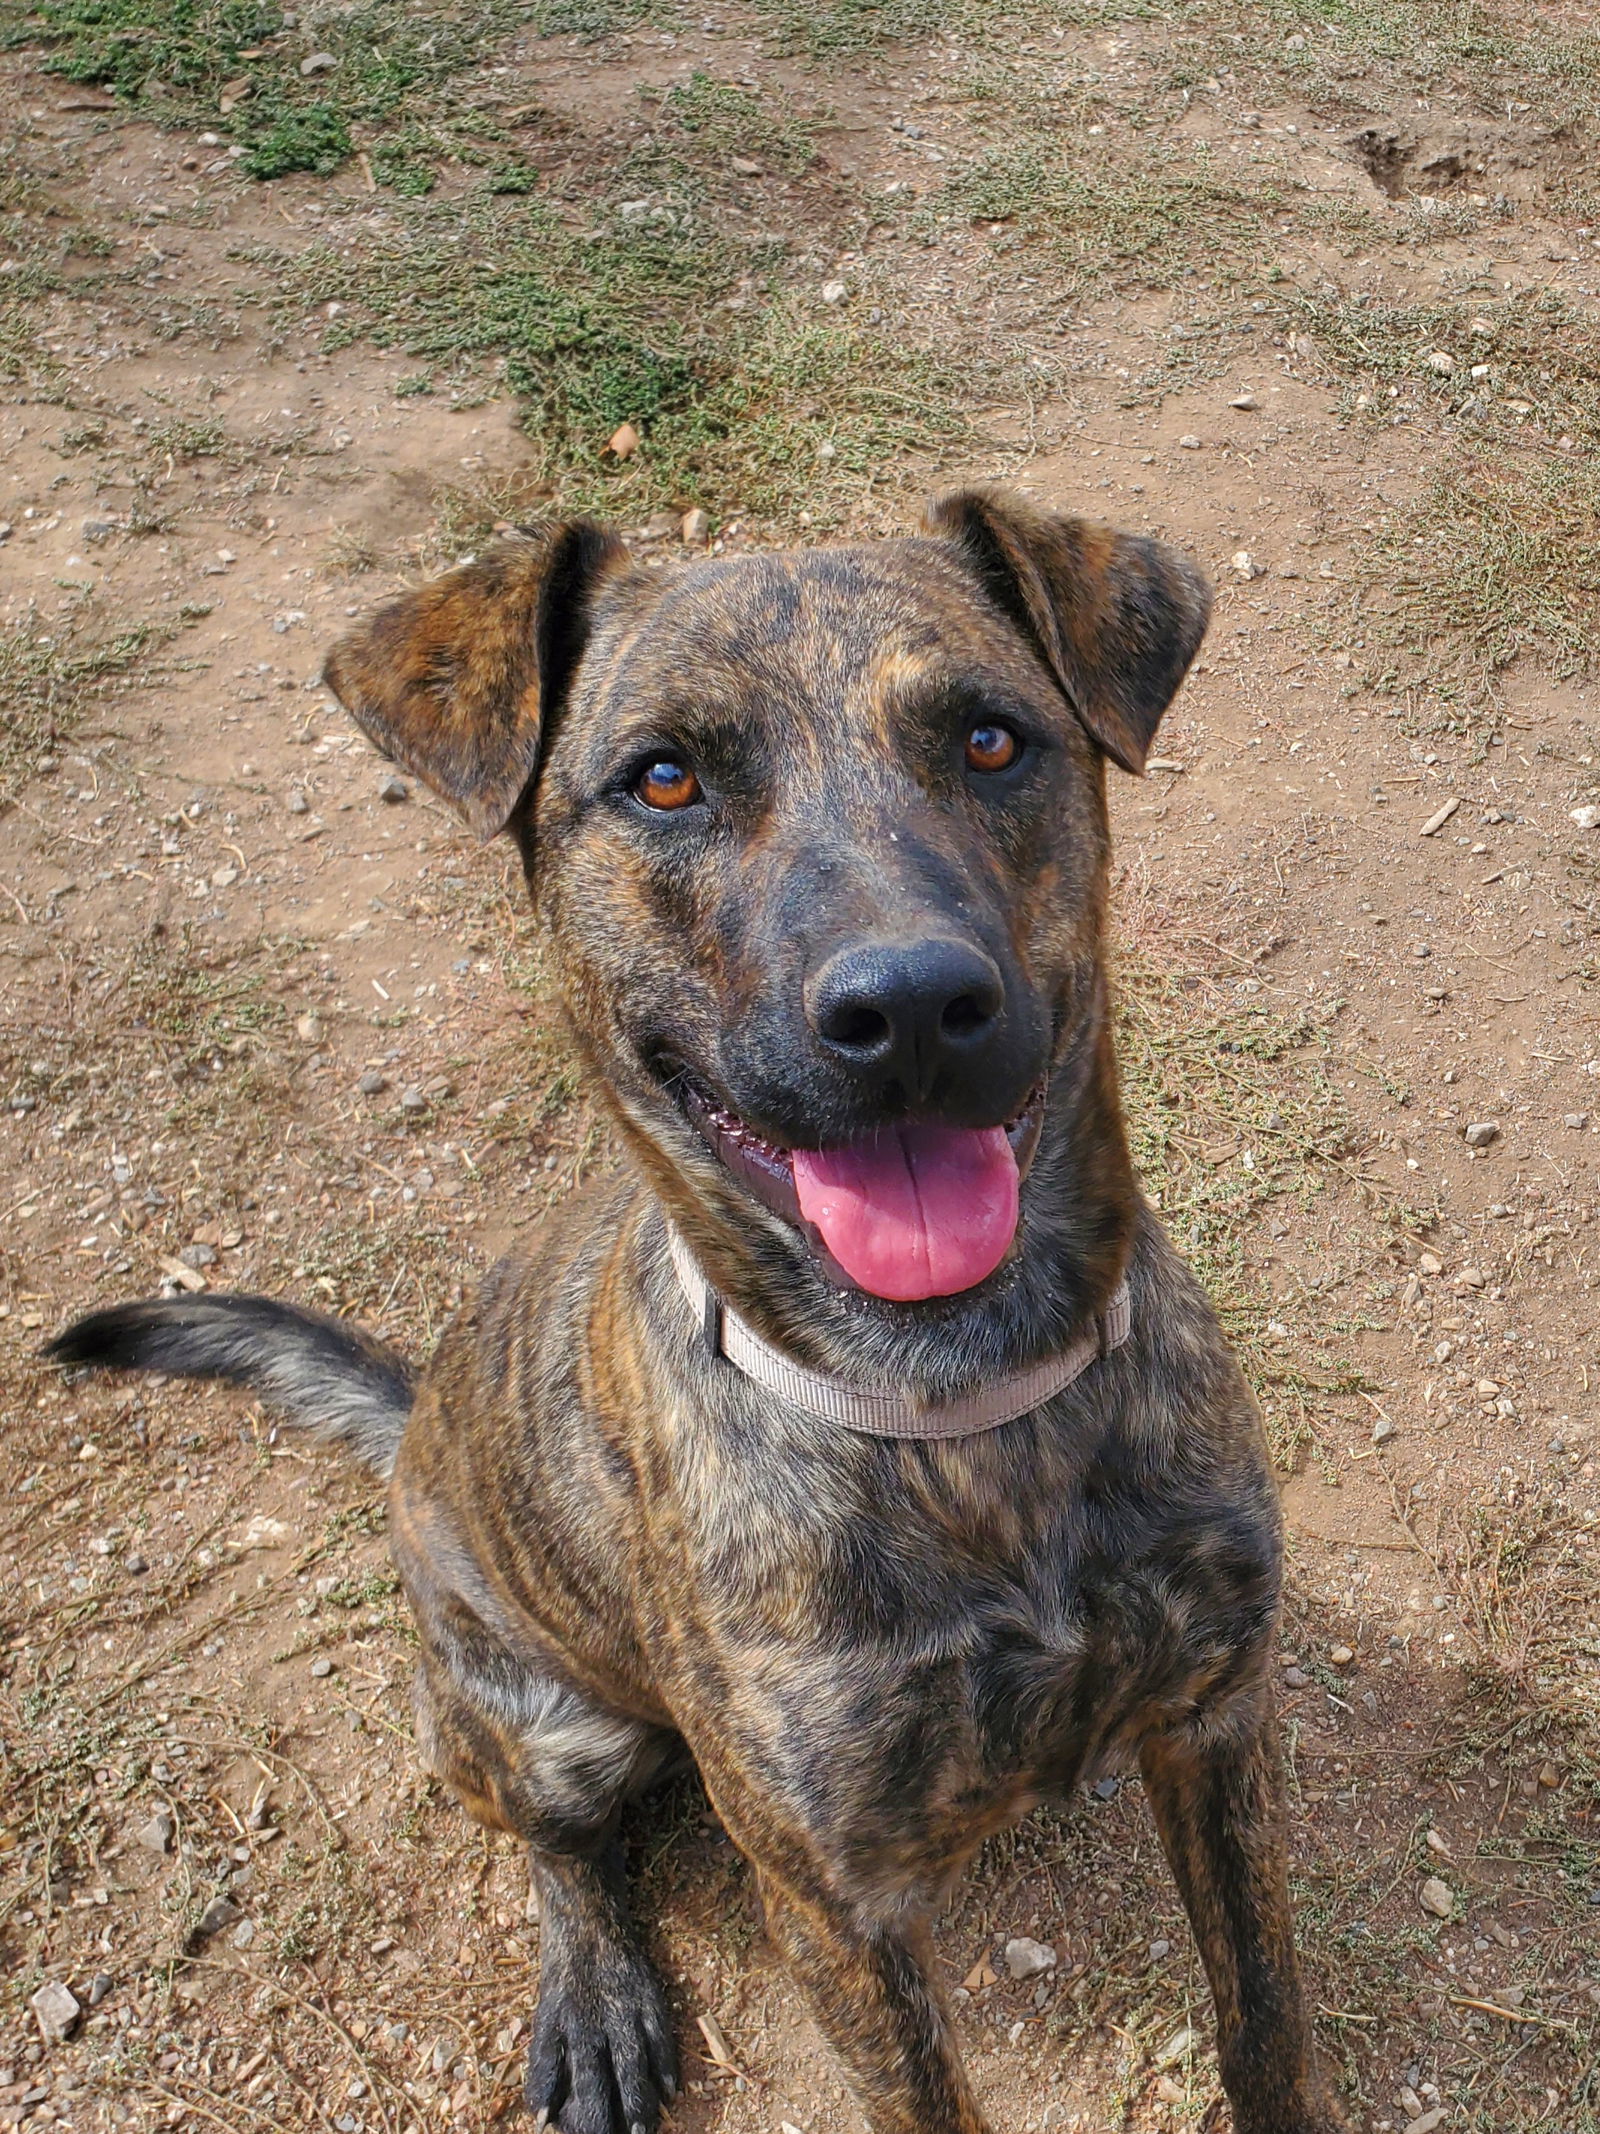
882, 1414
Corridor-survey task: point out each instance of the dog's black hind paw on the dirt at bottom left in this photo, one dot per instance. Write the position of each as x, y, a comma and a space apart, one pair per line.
603, 2056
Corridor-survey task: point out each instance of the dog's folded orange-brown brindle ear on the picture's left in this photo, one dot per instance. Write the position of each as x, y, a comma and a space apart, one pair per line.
460, 680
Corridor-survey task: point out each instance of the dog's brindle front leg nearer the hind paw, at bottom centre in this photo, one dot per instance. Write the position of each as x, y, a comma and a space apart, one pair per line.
871, 1996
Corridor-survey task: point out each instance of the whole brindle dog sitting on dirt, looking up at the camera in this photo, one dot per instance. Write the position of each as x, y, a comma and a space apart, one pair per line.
820, 844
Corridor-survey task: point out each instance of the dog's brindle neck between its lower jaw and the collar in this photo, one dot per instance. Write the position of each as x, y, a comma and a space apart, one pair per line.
1081, 1213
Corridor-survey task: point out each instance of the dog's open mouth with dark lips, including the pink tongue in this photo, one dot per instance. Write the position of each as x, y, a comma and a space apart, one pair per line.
918, 1211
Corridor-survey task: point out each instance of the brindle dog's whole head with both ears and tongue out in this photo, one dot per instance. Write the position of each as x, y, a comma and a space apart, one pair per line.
822, 848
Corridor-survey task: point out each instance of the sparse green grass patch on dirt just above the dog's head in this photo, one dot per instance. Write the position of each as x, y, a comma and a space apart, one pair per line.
765, 411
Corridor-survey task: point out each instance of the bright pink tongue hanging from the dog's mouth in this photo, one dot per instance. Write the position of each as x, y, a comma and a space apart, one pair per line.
916, 1213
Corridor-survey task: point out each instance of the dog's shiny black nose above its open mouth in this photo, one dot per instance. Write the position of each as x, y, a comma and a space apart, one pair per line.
906, 1013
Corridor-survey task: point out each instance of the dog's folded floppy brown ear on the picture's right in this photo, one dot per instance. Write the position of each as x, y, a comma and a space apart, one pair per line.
1117, 620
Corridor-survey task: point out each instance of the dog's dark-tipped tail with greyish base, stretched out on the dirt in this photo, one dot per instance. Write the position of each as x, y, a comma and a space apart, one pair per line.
332, 1377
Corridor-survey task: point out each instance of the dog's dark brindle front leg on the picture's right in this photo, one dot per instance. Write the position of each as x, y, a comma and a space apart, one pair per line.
1219, 1804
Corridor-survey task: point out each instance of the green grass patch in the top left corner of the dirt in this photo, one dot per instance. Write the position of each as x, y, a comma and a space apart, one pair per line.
300, 91
